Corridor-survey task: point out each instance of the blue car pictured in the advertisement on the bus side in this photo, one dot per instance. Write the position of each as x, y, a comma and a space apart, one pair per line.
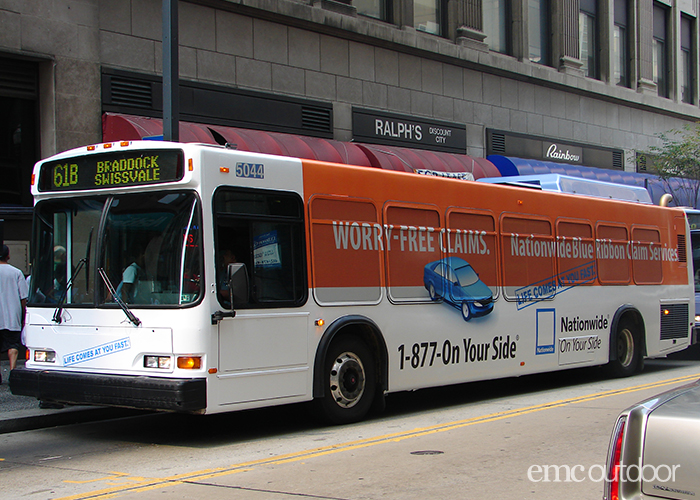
456, 282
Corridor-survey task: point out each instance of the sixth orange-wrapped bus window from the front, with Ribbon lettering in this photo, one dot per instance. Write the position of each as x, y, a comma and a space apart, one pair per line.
611, 254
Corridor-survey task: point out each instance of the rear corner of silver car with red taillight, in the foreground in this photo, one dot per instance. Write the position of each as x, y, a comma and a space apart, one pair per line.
655, 448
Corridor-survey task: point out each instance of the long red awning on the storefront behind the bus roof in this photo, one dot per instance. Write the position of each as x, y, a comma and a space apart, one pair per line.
117, 127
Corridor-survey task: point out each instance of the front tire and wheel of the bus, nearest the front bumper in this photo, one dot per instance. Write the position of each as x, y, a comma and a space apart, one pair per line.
349, 381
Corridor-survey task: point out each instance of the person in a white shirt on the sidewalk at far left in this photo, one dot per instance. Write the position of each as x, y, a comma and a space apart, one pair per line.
13, 305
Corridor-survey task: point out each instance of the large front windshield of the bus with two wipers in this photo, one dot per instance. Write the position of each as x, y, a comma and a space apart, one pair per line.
149, 245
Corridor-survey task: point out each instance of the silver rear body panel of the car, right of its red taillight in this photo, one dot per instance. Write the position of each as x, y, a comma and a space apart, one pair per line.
672, 448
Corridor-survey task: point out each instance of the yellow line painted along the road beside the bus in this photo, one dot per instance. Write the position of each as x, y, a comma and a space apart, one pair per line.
193, 477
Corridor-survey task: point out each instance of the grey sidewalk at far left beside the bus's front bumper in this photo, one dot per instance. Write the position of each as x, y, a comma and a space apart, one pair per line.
21, 413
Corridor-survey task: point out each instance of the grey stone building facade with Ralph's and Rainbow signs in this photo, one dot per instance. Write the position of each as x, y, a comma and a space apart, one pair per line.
516, 77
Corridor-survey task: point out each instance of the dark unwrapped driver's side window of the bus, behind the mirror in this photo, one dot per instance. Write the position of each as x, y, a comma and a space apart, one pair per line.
264, 231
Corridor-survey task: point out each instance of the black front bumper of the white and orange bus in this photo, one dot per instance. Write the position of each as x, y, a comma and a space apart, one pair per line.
128, 391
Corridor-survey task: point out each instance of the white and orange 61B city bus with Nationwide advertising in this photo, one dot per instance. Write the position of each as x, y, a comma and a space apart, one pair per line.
202, 279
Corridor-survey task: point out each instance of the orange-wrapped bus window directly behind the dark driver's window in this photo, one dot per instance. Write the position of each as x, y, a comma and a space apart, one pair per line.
347, 245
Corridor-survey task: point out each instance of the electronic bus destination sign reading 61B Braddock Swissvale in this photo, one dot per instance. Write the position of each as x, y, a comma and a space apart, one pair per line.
114, 169
